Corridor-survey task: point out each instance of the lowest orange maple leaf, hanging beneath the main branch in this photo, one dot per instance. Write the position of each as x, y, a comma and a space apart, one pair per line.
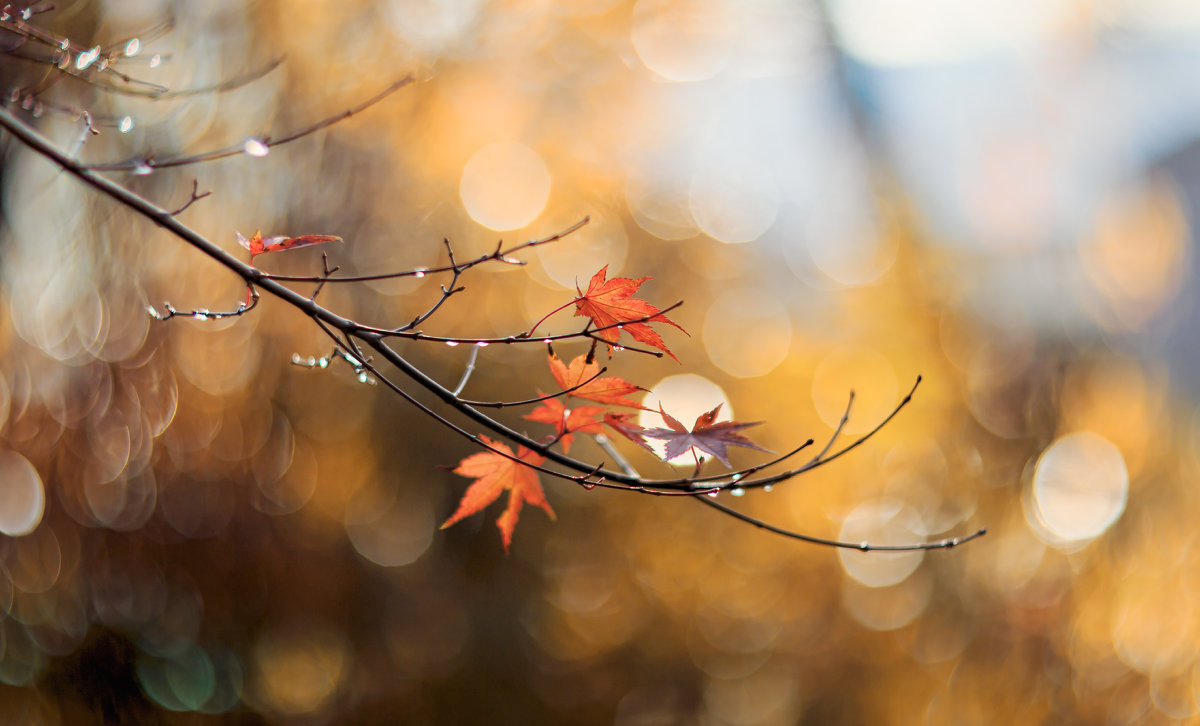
494, 475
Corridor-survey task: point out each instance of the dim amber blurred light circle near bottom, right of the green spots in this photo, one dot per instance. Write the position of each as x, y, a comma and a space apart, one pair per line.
298, 670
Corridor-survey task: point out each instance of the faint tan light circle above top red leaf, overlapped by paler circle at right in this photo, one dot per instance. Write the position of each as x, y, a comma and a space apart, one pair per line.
658, 200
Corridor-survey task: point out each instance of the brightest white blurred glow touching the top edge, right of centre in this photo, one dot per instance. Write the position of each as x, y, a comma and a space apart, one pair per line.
897, 33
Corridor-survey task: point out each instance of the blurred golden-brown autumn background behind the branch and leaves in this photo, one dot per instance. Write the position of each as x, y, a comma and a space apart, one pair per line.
997, 196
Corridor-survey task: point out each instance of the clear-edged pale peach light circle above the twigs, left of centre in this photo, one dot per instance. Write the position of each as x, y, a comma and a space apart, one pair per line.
505, 185
